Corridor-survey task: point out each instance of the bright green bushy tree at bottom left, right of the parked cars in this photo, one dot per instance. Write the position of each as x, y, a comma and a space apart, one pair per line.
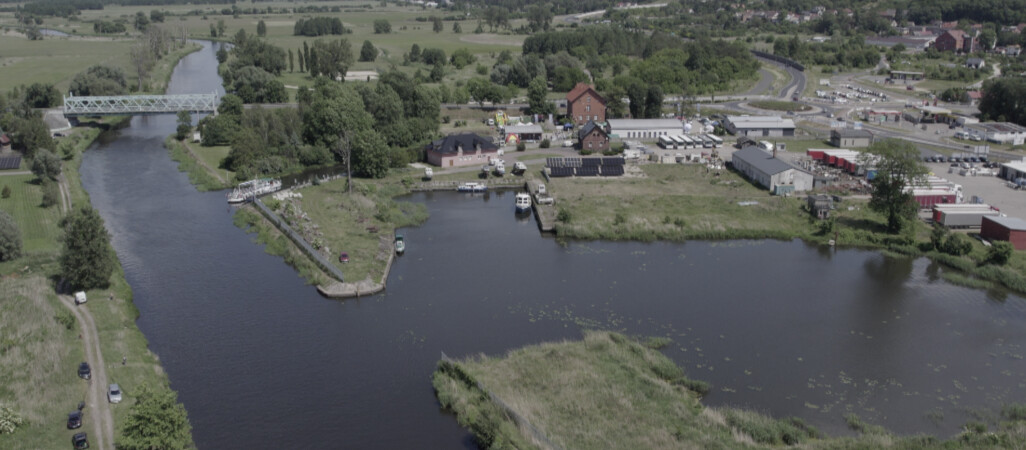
157, 421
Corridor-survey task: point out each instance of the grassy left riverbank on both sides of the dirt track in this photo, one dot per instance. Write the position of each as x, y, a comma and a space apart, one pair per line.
41, 348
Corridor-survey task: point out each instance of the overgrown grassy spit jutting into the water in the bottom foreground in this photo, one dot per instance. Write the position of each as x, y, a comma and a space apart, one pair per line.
610, 392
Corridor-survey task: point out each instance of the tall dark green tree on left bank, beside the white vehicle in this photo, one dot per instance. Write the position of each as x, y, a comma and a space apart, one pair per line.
88, 260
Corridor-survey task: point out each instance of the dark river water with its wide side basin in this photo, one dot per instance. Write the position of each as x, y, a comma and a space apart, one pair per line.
262, 361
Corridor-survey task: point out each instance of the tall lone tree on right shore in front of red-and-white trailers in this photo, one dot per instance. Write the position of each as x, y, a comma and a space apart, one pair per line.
898, 166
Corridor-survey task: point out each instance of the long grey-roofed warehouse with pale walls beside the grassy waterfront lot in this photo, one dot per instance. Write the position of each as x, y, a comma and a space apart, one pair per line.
779, 177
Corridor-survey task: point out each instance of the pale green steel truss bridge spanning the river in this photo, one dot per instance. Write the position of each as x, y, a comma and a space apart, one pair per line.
139, 105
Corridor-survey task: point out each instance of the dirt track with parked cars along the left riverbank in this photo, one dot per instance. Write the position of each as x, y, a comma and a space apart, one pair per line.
100, 411
